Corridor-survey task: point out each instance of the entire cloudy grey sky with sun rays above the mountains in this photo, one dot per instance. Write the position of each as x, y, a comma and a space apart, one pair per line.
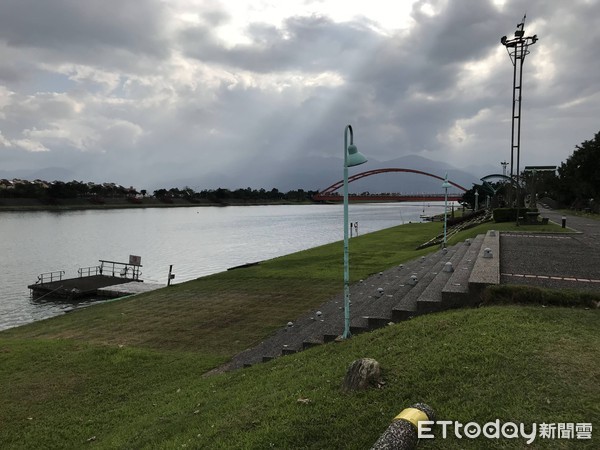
148, 92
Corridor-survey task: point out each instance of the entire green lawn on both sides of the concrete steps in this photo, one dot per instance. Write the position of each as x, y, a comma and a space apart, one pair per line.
129, 373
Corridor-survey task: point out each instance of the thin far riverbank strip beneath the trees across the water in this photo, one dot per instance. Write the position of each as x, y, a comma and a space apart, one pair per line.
32, 204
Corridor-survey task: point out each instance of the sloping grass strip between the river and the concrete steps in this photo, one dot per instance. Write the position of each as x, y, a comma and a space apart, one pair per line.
230, 311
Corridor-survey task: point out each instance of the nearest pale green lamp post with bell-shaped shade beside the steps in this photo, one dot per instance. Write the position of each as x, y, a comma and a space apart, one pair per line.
352, 157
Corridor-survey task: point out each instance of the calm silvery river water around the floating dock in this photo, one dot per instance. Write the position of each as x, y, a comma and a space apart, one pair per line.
197, 241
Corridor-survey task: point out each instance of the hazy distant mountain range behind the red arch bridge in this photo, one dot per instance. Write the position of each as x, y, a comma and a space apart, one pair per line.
309, 173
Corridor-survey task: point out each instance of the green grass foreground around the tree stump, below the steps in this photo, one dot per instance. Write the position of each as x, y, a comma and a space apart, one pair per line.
519, 364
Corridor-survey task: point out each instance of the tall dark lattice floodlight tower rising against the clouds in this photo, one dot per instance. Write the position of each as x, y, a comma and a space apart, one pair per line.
517, 49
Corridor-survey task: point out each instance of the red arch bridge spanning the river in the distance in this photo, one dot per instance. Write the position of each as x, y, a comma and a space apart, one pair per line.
330, 193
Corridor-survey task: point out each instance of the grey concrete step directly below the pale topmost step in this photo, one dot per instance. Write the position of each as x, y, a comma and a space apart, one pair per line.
456, 291
